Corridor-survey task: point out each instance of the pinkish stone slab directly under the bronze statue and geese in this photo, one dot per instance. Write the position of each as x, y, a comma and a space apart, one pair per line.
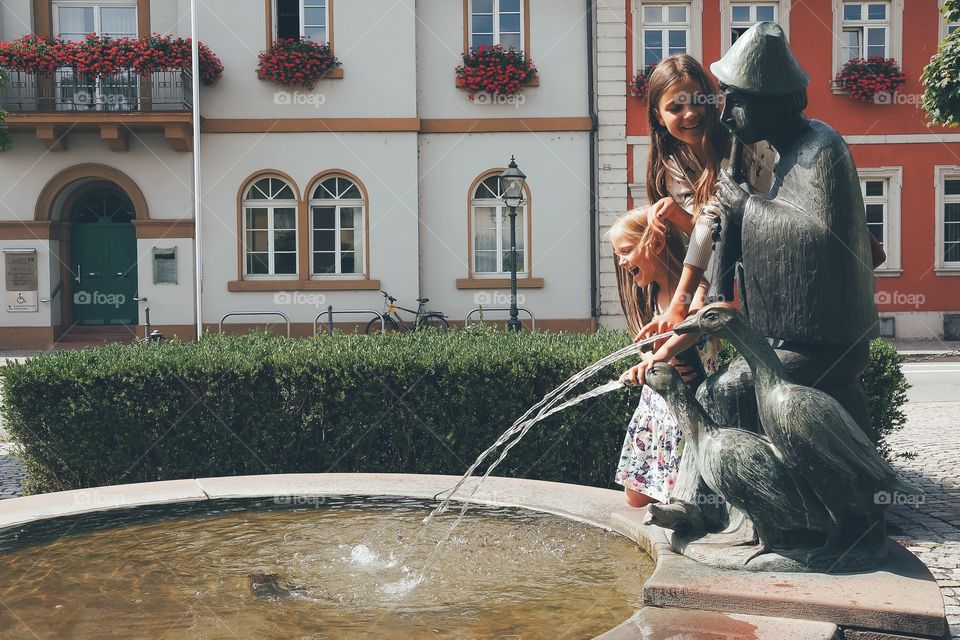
901, 599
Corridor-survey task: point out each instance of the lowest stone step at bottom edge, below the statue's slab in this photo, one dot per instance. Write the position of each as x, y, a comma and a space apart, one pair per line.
651, 623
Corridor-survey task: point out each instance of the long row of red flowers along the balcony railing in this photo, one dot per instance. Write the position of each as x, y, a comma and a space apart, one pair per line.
99, 56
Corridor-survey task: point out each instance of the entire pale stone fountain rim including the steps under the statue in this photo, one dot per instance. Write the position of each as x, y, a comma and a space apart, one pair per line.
684, 599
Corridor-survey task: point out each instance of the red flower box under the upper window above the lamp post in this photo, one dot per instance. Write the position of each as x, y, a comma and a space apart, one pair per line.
495, 71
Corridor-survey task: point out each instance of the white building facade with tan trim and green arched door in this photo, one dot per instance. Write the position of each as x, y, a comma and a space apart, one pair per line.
377, 178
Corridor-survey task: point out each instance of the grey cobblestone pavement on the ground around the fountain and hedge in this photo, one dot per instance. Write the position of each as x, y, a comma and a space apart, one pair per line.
928, 450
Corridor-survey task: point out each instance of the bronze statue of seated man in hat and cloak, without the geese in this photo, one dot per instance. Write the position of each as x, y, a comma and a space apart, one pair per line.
807, 275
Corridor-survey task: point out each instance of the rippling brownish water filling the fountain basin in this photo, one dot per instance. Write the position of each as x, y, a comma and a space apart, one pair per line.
341, 569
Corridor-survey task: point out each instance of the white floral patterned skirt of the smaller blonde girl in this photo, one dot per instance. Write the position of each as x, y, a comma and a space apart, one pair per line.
652, 447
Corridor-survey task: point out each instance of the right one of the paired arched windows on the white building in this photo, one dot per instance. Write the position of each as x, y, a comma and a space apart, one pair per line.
336, 213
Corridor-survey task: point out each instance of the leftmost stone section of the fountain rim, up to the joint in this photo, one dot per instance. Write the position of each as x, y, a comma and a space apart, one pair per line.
17, 511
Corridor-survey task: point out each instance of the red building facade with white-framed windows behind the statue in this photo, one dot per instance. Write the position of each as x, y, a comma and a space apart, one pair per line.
910, 172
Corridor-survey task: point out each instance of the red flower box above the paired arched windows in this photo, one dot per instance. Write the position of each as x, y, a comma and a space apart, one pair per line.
297, 62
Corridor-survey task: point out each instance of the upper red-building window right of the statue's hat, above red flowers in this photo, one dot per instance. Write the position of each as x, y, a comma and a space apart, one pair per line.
865, 30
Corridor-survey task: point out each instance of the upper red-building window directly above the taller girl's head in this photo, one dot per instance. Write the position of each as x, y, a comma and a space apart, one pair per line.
664, 29
